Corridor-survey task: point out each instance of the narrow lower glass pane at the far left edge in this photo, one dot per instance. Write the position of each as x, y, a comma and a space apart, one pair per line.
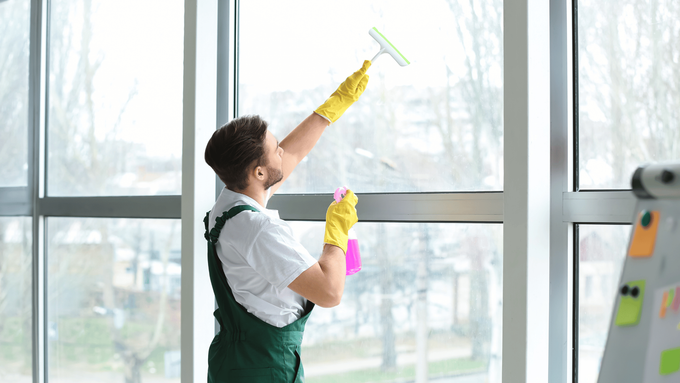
16, 309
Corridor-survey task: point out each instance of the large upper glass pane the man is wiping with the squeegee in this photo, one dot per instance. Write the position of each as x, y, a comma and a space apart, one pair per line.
434, 125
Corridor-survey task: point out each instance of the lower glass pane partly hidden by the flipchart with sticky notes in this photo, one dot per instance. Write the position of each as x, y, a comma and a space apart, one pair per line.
602, 250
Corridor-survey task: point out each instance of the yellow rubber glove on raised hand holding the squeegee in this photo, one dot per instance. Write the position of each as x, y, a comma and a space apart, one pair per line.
346, 94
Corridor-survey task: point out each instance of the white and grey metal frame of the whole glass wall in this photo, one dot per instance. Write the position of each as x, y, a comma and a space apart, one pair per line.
210, 45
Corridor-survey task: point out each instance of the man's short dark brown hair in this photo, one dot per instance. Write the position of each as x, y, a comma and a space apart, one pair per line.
233, 148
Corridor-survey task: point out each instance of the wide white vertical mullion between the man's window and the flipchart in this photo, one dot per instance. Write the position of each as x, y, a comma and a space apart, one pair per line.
527, 195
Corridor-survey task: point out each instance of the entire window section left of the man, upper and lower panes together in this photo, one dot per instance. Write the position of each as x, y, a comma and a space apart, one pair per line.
90, 287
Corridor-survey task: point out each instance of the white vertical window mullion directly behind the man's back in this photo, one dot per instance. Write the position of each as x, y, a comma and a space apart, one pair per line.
198, 191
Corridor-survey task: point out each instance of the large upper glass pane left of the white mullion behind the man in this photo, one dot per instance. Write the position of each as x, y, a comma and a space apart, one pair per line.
115, 97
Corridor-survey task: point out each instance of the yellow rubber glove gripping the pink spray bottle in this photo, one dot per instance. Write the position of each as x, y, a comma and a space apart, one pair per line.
340, 217
